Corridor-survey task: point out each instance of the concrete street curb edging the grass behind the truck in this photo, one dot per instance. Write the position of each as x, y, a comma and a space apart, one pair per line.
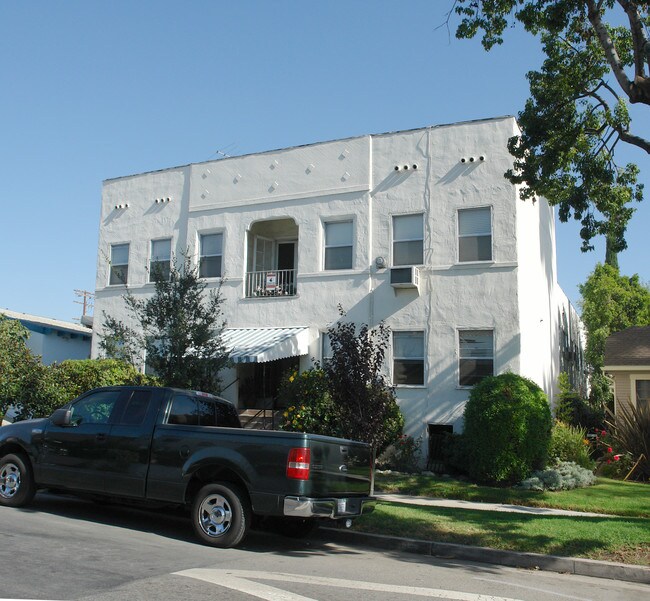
551, 563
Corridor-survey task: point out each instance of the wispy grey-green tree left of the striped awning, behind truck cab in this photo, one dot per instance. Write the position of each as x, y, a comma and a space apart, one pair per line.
179, 332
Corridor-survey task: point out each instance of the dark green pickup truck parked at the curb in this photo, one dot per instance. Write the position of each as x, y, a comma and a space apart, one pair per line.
186, 448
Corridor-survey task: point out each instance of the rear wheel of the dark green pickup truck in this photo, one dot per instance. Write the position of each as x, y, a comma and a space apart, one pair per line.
221, 514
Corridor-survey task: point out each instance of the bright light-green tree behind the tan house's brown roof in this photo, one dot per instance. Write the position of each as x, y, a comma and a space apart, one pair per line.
610, 303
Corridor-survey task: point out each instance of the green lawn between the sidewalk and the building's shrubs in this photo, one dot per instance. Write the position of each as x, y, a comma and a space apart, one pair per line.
607, 496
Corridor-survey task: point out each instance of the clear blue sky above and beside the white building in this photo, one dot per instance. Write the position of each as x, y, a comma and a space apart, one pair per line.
91, 90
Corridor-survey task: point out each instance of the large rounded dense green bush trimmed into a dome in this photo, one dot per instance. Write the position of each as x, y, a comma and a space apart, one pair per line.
507, 429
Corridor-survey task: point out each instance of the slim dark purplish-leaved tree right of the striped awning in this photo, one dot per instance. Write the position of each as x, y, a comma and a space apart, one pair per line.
366, 402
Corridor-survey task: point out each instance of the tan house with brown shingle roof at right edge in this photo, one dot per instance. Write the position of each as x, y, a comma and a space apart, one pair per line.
627, 363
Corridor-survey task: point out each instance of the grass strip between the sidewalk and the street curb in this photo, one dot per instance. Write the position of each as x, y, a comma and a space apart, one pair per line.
625, 540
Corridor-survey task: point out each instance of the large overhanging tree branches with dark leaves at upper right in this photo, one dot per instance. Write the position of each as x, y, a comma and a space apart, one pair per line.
578, 109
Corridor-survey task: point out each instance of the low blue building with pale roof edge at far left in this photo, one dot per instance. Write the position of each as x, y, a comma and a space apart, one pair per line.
54, 340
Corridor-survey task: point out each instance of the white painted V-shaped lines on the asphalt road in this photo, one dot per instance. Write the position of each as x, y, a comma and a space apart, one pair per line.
240, 580
